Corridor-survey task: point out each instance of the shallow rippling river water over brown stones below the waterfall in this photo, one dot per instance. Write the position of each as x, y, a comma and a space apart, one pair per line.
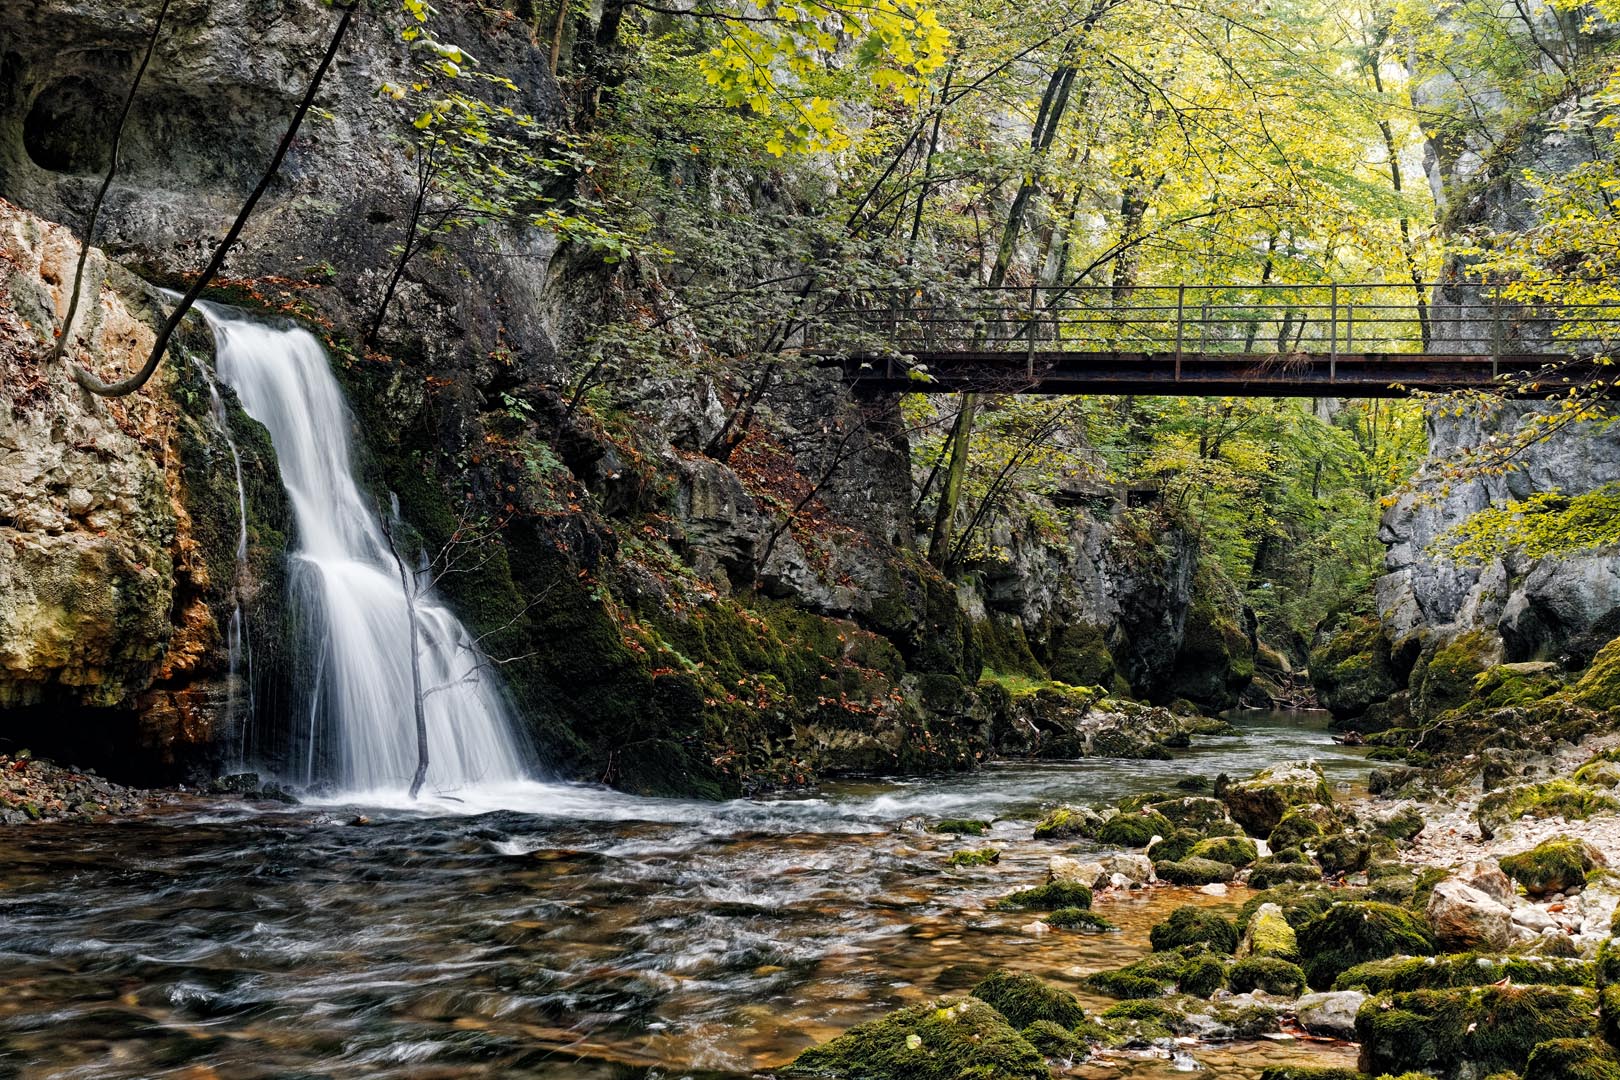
587, 935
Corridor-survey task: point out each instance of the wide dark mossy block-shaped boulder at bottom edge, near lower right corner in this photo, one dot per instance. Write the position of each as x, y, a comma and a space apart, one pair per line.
1470, 1032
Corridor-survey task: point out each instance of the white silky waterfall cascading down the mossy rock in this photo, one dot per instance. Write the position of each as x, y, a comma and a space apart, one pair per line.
346, 585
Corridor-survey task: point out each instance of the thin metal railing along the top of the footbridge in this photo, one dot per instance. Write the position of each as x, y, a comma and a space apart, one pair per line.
1209, 320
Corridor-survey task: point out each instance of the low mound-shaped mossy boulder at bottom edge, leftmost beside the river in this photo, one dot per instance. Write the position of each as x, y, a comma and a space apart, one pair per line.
947, 1040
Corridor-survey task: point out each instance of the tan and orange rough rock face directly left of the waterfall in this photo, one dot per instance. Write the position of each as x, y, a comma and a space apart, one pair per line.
119, 522
